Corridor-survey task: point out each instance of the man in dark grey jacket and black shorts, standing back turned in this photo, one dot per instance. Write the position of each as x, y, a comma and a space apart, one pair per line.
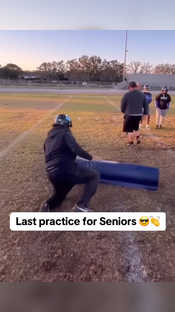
133, 106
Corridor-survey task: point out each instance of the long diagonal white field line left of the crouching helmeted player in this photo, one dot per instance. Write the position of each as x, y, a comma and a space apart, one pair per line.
26, 133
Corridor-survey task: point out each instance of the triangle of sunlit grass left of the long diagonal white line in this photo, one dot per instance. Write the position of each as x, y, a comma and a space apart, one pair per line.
18, 115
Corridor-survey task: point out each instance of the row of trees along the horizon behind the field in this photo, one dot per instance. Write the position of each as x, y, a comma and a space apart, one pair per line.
85, 68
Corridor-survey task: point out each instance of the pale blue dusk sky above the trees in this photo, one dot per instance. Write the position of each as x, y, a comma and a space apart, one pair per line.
29, 48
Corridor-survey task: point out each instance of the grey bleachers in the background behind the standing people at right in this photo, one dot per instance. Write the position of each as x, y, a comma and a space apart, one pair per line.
154, 81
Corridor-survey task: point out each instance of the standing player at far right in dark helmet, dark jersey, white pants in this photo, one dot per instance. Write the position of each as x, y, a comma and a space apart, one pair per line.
163, 101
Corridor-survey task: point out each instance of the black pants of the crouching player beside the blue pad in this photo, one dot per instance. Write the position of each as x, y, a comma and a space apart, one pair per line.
65, 177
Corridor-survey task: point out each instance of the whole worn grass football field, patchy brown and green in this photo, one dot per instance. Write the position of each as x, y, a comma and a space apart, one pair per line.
86, 256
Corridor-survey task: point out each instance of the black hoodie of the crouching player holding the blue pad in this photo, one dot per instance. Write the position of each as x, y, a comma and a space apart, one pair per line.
61, 146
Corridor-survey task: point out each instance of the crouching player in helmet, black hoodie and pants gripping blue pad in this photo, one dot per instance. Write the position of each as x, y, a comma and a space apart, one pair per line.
61, 149
